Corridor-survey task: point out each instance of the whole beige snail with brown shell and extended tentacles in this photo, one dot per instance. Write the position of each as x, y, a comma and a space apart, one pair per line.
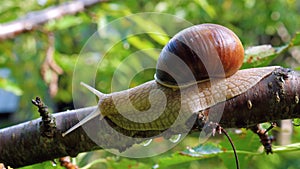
187, 65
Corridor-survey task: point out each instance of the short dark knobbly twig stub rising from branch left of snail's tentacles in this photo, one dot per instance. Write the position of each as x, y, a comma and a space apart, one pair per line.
47, 125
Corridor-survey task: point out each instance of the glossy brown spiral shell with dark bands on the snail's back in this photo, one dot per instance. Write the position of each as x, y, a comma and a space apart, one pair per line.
198, 53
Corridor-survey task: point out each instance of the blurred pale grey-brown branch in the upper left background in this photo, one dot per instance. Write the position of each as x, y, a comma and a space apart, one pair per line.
33, 19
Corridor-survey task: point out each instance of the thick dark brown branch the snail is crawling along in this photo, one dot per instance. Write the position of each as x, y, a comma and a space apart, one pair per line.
275, 97
